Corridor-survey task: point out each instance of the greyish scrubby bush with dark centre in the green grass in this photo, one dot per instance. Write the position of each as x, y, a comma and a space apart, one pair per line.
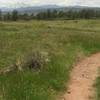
34, 61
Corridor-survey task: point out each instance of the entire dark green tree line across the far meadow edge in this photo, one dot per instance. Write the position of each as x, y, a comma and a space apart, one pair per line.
51, 14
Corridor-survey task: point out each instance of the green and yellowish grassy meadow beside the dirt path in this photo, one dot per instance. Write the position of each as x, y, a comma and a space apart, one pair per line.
64, 42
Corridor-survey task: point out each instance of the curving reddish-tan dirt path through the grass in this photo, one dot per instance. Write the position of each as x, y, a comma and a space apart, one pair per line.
82, 80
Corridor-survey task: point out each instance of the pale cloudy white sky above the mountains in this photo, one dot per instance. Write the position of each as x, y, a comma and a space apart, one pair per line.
18, 3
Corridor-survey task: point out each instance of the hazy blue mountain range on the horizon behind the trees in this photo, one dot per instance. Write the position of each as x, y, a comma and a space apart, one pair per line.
36, 9
